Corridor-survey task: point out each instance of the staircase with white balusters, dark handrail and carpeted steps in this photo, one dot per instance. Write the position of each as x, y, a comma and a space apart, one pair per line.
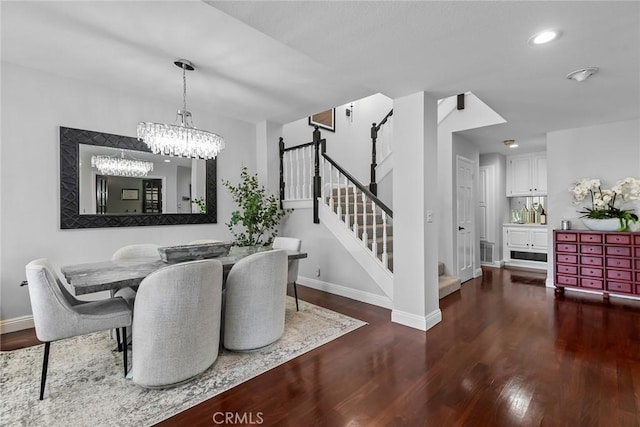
350, 210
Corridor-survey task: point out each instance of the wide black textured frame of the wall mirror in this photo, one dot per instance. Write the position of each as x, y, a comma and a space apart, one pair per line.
71, 140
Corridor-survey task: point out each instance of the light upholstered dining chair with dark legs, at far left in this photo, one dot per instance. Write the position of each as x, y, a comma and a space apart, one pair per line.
58, 315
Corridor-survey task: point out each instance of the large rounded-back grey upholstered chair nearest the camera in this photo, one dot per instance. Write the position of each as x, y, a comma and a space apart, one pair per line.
176, 327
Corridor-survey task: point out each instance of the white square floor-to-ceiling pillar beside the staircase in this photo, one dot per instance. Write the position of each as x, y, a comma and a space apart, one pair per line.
415, 260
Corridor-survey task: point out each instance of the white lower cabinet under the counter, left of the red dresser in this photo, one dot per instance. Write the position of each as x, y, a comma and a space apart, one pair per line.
525, 246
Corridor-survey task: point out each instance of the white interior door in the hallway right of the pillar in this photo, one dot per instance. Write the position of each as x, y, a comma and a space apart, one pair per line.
466, 218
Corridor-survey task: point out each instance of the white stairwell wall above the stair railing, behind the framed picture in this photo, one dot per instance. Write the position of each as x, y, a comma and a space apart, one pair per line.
350, 144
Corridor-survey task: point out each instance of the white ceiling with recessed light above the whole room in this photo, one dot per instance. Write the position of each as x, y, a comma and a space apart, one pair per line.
282, 61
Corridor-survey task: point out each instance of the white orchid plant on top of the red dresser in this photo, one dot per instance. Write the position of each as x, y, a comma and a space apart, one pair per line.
603, 201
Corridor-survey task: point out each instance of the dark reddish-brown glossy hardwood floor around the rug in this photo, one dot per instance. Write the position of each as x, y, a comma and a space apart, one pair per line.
507, 353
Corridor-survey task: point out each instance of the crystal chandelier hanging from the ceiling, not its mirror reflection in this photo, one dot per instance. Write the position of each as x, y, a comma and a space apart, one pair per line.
182, 139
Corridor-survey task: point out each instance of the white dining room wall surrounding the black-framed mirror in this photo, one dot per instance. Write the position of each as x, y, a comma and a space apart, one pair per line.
34, 105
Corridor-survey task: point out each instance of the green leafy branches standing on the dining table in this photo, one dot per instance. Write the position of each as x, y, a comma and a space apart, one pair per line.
256, 220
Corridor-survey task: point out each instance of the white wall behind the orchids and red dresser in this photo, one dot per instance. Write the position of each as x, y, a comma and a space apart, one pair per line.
609, 152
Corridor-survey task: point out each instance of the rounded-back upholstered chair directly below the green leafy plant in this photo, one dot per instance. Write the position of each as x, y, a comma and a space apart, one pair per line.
255, 296
